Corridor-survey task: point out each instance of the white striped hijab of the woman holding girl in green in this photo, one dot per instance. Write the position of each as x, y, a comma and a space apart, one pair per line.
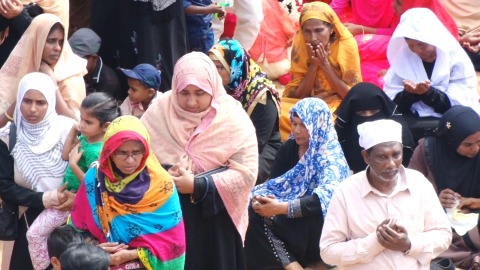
38, 150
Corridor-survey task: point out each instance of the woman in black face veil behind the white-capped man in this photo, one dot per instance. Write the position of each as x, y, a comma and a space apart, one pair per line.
365, 102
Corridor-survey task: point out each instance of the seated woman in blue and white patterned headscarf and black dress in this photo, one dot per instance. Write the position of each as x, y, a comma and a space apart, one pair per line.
287, 211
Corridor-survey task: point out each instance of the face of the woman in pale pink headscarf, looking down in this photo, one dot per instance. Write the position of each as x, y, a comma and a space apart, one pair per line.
193, 99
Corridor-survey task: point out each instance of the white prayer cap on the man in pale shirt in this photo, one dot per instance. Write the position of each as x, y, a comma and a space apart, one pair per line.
380, 131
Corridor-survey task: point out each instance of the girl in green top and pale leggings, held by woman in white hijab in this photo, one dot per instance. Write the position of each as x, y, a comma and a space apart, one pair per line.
96, 113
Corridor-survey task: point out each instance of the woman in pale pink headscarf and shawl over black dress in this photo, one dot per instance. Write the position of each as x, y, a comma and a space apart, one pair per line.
198, 127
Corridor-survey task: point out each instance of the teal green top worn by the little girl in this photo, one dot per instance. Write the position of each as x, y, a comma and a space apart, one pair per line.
91, 153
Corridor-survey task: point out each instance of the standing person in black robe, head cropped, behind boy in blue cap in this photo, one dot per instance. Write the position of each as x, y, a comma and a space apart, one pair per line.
141, 31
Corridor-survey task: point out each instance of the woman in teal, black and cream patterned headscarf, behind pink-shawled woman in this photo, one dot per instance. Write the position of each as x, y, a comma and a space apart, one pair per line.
244, 80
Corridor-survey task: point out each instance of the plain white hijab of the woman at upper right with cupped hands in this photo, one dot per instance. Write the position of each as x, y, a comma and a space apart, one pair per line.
452, 74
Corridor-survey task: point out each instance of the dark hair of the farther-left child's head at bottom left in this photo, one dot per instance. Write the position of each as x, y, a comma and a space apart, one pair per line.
60, 238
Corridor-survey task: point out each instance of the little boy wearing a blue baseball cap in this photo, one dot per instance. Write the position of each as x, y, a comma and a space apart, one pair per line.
143, 82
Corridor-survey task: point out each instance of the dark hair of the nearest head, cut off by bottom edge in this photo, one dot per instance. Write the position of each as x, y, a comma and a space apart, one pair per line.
84, 256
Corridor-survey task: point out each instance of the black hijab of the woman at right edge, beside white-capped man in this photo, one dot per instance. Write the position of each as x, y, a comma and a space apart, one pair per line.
449, 168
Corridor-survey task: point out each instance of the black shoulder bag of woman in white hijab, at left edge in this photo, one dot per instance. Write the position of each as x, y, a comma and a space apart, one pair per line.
9, 210
